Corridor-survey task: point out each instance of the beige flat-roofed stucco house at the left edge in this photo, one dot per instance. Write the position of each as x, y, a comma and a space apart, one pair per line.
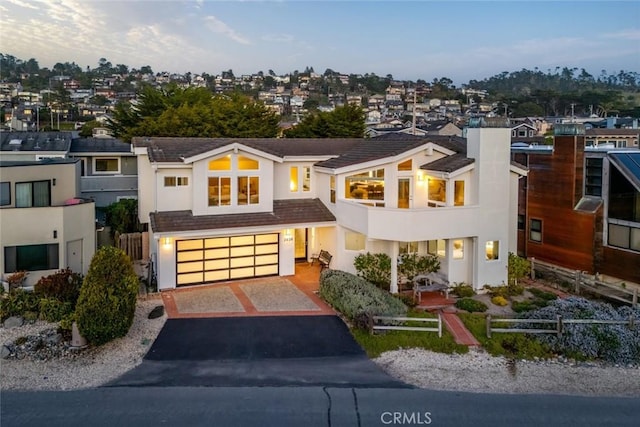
45, 225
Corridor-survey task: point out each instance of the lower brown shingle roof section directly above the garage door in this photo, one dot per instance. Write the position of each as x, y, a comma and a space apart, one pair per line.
285, 212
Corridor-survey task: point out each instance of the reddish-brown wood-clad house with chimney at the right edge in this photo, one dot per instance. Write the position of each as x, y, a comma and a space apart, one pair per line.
579, 206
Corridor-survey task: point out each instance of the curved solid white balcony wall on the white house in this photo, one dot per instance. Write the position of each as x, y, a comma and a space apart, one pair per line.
408, 225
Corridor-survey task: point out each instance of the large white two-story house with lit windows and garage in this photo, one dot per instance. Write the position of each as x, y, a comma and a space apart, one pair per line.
224, 209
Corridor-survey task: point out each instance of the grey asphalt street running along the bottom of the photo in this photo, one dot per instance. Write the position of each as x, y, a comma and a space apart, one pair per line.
308, 407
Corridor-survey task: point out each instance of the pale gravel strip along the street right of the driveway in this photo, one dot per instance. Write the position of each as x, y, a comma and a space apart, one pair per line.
479, 372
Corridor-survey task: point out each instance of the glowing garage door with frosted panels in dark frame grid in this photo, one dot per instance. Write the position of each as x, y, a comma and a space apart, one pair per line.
226, 258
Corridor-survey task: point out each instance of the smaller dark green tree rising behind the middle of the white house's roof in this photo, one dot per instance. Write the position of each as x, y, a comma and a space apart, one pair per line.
344, 122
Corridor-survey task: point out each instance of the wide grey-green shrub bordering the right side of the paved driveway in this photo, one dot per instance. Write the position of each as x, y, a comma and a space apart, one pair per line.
356, 298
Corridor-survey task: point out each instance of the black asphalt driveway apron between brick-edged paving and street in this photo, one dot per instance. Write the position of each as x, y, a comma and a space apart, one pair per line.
257, 351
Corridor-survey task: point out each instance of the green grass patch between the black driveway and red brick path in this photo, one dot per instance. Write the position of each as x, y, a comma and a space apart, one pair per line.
382, 341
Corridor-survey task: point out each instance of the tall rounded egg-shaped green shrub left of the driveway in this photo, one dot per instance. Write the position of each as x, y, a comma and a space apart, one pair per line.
107, 301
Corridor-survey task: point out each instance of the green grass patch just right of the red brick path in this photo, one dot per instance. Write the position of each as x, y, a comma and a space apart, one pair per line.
520, 346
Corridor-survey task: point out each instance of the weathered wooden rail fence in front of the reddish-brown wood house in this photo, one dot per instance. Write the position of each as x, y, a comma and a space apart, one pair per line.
579, 281
